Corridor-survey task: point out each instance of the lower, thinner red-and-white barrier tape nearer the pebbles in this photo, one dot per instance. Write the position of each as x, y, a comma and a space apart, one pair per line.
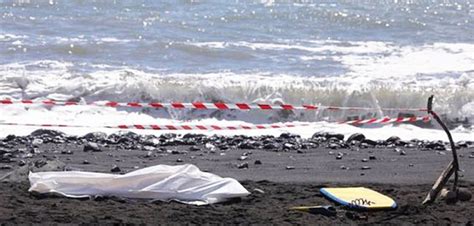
220, 127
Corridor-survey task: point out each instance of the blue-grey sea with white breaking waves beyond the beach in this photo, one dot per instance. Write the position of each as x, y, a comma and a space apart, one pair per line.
361, 53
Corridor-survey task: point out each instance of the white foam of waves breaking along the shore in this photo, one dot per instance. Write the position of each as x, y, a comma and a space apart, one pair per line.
378, 75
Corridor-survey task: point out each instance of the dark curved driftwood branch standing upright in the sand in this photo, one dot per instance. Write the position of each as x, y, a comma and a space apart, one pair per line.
453, 166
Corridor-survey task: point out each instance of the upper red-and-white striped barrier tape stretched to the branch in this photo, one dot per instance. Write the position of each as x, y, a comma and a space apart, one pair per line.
202, 106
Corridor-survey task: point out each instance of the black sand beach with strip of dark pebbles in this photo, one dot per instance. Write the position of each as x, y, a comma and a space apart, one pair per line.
280, 172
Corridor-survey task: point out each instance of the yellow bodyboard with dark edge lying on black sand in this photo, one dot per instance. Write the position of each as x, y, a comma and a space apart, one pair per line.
359, 198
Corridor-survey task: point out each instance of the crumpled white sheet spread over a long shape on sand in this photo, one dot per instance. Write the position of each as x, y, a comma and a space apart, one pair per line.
183, 183
